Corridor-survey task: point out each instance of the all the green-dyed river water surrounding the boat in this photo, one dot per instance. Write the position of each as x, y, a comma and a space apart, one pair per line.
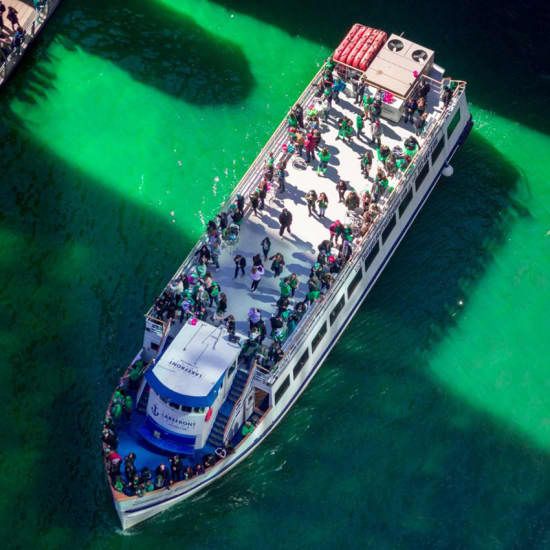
429, 424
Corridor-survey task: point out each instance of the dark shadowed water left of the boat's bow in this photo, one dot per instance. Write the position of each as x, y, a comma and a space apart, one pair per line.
80, 265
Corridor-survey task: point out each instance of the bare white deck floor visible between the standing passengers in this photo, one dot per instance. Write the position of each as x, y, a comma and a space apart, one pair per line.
300, 249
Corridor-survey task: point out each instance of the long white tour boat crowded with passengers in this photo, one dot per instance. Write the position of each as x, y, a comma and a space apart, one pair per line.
208, 385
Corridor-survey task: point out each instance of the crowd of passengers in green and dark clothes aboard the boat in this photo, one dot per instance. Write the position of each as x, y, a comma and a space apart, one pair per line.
197, 293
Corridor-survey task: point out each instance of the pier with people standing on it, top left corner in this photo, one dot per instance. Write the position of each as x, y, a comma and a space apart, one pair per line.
32, 17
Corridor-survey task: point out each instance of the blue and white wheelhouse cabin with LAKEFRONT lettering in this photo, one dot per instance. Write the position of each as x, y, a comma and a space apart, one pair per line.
187, 386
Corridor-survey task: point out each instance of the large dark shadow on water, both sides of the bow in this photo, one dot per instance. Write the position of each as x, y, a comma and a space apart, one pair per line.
424, 470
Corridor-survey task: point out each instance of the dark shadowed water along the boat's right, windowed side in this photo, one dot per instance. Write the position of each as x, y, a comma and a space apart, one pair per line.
402, 463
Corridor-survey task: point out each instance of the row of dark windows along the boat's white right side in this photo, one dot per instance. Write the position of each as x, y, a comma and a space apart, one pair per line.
368, 260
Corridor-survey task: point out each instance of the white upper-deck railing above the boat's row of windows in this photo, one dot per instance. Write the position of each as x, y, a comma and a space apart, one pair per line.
314, 312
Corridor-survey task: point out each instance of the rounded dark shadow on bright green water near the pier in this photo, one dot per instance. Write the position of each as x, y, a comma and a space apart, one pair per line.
155, 45
